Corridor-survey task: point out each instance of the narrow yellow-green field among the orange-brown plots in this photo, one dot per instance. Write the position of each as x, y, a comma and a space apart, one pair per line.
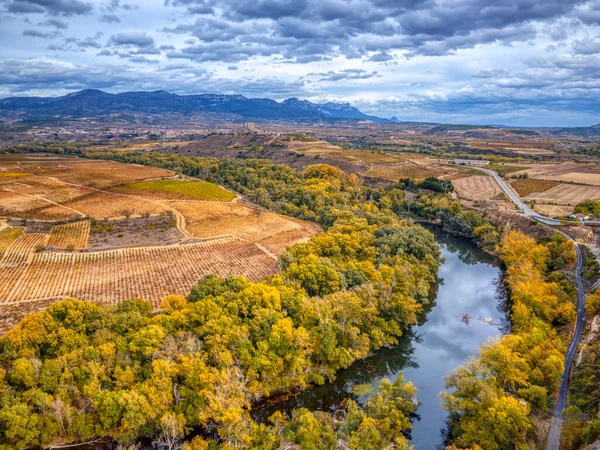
180, 190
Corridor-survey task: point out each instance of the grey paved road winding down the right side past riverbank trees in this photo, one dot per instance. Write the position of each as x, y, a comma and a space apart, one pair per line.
553, 442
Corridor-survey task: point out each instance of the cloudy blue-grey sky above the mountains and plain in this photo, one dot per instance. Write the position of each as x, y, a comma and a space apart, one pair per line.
512, 62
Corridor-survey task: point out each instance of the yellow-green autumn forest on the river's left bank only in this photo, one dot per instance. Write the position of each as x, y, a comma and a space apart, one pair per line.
78, 371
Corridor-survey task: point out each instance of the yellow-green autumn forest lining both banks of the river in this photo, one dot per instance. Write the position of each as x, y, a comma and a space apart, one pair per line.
77, 371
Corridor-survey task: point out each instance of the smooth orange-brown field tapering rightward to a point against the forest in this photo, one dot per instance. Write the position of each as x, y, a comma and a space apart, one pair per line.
272, 231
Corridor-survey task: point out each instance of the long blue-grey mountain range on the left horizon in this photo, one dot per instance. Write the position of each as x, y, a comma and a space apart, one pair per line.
92, 102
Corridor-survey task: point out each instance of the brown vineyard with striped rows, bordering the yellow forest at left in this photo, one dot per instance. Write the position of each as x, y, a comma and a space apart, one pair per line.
115, 275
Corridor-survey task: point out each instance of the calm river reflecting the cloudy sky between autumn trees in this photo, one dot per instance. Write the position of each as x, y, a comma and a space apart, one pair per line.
442, 341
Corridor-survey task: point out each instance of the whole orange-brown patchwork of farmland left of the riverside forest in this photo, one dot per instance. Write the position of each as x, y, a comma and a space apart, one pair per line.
112, 232
